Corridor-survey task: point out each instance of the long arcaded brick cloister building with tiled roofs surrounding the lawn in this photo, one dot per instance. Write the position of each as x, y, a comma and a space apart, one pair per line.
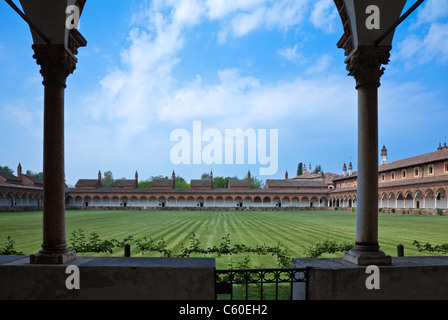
418, 182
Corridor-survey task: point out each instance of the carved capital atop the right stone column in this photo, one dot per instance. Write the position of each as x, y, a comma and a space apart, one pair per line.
364, 64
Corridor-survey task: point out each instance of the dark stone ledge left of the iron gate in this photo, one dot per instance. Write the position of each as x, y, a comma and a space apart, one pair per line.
110, 278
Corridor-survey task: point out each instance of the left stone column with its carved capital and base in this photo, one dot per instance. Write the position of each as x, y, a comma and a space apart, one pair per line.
57, 63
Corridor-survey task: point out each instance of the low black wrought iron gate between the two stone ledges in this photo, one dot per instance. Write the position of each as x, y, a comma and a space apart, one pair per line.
240, 280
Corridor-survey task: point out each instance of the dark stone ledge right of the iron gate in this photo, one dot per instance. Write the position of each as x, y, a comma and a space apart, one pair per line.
408, 278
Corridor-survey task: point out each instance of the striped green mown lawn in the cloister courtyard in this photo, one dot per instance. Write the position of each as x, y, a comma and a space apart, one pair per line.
294, 230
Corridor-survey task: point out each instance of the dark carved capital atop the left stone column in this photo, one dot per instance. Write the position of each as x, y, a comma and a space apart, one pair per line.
56, 62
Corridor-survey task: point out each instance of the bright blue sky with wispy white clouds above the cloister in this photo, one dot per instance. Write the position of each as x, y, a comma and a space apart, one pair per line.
151, 67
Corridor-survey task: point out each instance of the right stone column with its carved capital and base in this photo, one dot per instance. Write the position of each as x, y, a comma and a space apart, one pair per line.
364, 64
